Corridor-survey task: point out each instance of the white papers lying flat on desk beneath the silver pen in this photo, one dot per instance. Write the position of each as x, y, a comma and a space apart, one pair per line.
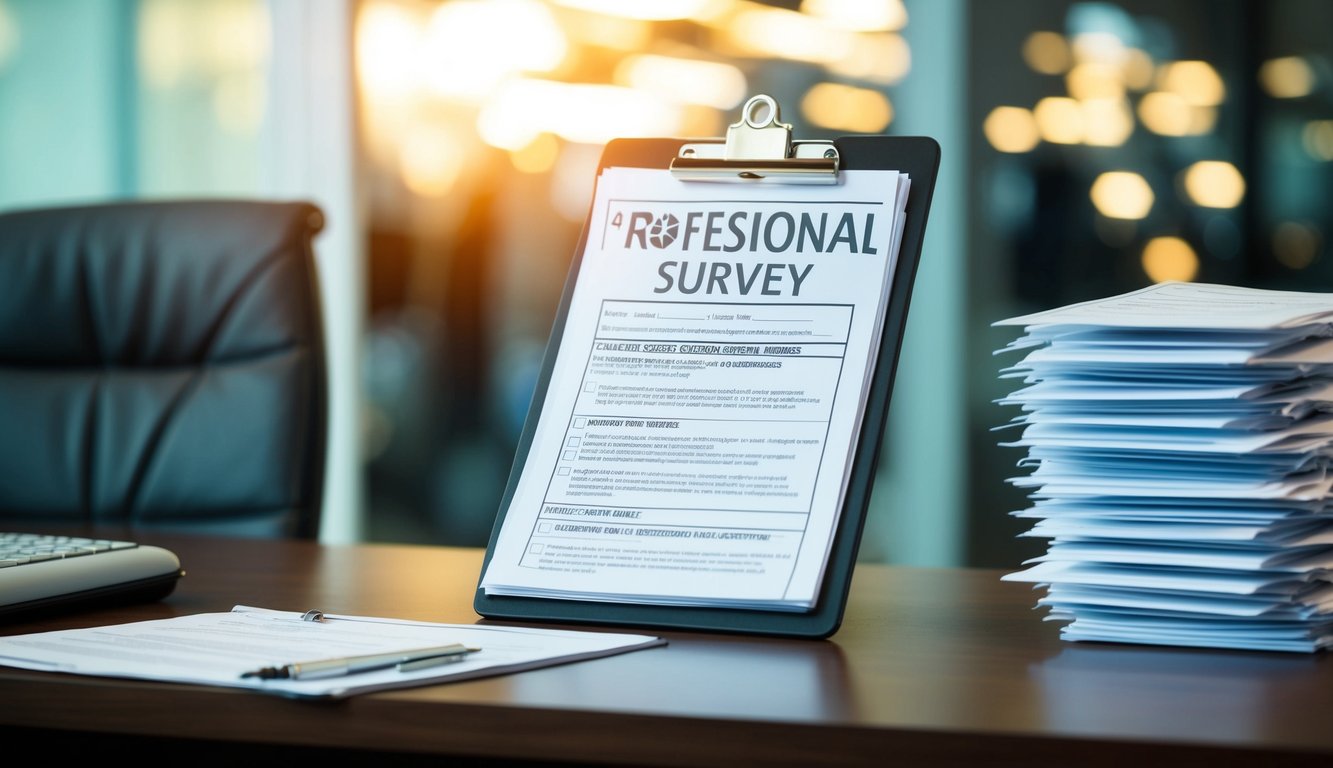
222, 649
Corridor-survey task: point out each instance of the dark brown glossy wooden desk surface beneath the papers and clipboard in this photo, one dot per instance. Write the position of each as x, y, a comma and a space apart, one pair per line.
932, 667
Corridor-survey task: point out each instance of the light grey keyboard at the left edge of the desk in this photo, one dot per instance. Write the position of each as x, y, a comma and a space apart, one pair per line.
47, 574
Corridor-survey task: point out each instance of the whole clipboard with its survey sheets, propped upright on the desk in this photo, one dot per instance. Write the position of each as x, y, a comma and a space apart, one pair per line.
663, 263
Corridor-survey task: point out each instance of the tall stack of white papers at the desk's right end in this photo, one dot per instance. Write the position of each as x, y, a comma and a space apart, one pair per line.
1179, 445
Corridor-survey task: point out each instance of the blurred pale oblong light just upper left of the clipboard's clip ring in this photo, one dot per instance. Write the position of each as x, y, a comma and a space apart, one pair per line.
684, 81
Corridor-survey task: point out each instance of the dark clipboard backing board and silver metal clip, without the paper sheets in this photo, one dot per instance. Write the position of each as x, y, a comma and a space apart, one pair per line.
758, 150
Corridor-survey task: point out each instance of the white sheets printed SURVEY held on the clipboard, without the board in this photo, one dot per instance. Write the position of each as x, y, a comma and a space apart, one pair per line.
707, 398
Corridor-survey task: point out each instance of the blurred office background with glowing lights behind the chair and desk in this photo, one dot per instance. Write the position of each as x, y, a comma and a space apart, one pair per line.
1090, 149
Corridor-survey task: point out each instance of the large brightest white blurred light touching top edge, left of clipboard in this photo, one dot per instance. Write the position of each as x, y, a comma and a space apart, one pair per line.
466, 57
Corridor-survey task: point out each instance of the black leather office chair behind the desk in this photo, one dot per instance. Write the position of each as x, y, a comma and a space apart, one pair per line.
162, 366
